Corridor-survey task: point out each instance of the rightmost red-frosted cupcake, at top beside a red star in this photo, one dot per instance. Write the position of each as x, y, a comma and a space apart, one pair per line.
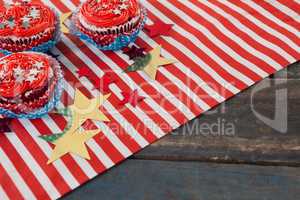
106, 21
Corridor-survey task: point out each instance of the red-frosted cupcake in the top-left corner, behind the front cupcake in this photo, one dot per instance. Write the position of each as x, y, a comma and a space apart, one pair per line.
26, 25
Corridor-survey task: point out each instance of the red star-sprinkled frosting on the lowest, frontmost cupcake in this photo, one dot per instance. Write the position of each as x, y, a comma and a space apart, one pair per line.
22, 72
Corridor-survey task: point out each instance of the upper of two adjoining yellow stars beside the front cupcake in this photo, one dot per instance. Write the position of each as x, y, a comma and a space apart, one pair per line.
86, 108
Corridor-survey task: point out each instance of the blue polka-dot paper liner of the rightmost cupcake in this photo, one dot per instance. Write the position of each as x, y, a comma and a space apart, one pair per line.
121, 41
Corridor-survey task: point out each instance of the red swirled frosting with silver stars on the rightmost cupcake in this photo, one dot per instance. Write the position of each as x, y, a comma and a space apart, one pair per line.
108, 13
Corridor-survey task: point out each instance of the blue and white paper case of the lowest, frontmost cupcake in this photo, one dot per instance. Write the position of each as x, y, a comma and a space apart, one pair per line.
53, 102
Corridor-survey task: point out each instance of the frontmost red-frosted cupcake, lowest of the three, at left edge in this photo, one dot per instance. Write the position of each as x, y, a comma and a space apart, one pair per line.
28, 80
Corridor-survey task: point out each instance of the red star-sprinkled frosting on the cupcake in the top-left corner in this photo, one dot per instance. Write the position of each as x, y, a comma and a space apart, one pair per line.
25, 19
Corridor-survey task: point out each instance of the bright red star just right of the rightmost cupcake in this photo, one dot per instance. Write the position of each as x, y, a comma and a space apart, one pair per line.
159, 28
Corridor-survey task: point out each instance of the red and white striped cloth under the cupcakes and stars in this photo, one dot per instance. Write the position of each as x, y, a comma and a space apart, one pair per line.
222, 47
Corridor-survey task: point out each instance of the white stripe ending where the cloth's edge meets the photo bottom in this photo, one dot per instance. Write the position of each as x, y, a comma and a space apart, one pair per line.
34, 166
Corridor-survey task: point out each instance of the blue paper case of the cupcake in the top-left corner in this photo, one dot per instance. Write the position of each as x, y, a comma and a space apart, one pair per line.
46, 46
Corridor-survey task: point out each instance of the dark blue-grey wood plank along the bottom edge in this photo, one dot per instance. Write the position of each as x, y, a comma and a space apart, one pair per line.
147, 180
